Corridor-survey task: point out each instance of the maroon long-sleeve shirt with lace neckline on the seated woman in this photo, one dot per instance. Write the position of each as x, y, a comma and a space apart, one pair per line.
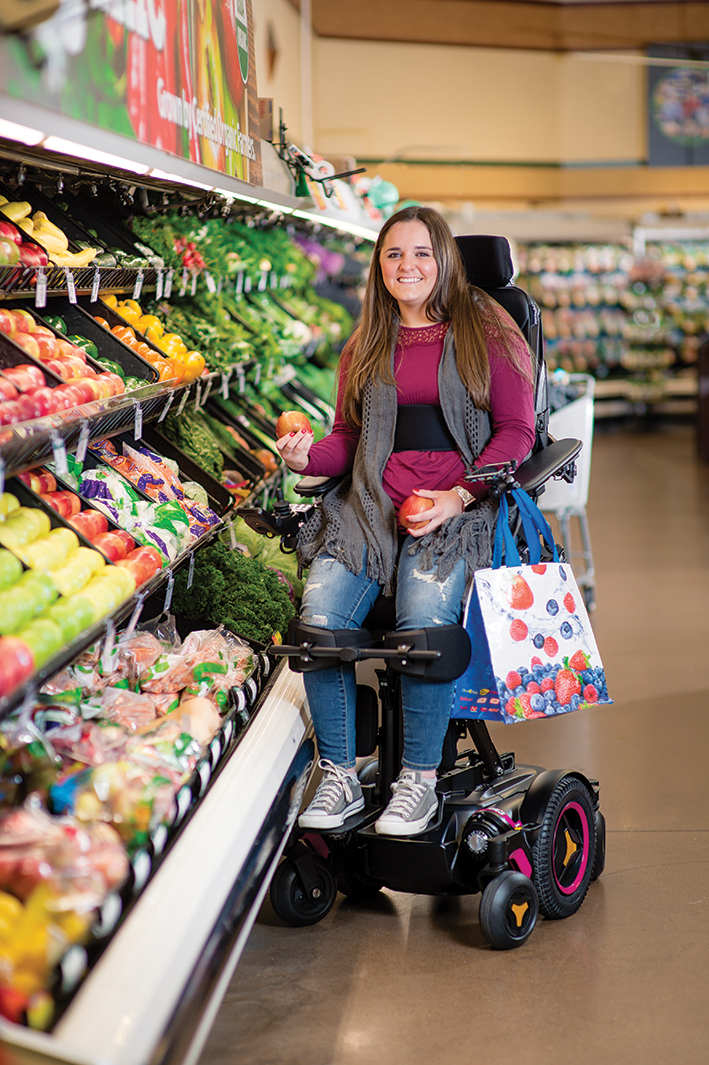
417, 362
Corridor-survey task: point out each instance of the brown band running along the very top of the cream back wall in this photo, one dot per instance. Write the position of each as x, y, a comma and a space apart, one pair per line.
548, 25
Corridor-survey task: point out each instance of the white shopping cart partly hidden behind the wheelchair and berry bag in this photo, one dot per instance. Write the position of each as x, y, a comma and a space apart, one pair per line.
572, 395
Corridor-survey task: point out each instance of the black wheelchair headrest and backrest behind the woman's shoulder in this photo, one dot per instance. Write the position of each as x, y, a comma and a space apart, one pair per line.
488, 263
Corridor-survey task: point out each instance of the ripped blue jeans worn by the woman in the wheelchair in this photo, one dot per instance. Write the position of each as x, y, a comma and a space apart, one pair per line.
337, 599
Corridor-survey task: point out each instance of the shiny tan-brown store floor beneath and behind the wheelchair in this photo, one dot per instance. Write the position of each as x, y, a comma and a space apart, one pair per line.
410, 979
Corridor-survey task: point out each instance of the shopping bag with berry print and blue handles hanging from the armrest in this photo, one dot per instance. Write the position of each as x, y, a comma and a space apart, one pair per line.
534, 652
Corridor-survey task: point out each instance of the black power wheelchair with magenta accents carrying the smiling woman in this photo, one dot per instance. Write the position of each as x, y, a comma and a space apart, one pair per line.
530, 840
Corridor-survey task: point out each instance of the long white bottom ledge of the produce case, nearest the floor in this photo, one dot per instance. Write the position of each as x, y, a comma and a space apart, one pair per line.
154, 992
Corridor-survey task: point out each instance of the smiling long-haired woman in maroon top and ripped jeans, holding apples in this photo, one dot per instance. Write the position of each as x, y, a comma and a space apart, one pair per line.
435, 383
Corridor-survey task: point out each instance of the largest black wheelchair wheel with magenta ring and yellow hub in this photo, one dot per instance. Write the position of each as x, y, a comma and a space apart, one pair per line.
566, 849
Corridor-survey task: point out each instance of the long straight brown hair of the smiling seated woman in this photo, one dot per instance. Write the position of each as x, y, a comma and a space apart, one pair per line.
453, 300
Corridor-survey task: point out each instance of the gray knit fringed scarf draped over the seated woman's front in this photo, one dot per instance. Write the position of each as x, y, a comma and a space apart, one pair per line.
359, 514
